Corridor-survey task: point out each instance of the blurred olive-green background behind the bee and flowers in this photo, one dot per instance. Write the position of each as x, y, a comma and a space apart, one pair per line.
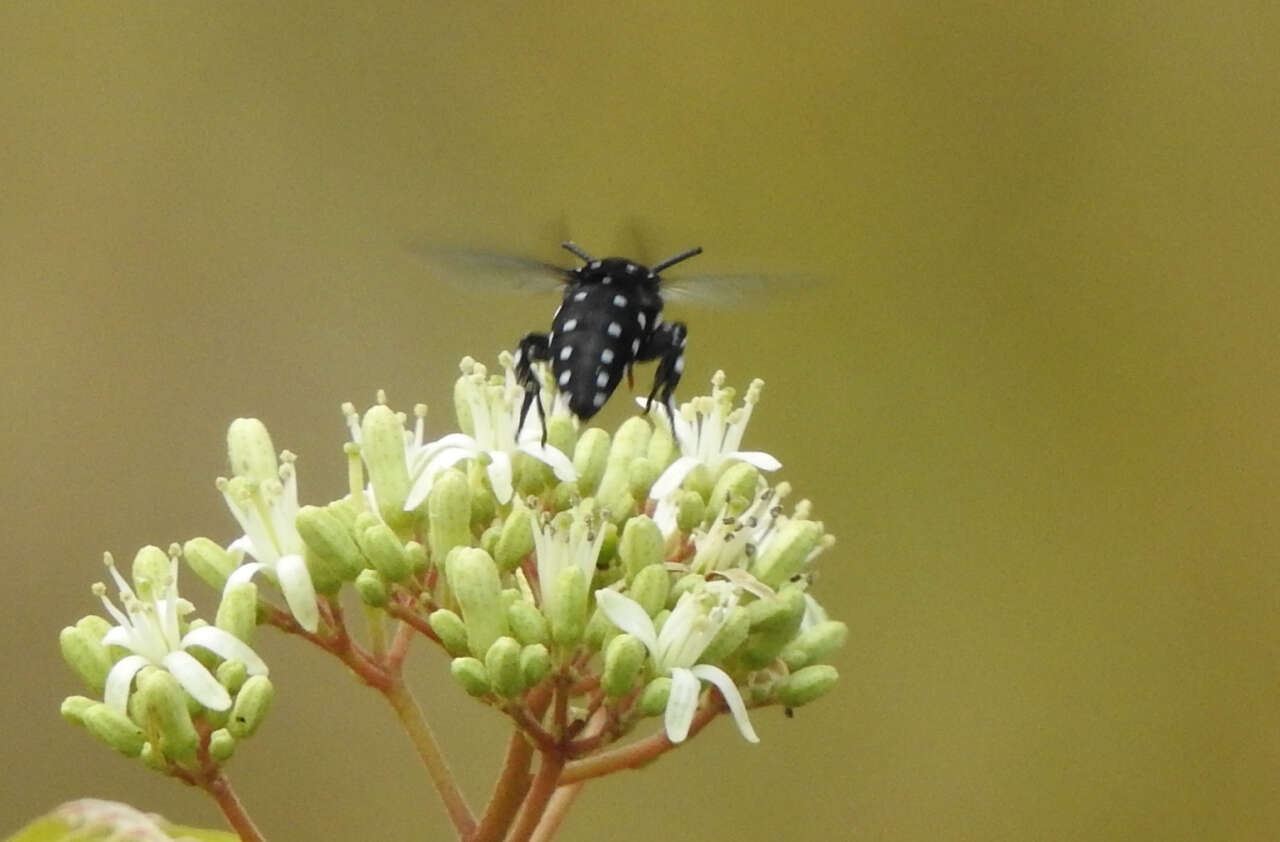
1020, 341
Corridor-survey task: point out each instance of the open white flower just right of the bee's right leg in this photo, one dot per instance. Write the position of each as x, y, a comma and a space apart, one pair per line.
710, 431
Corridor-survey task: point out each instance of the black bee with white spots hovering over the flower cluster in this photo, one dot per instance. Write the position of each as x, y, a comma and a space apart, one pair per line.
610, 319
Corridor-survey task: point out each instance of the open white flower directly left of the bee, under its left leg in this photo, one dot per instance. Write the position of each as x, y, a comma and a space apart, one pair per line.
492, 410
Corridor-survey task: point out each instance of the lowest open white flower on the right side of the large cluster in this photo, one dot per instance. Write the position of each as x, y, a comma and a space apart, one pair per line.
698, 617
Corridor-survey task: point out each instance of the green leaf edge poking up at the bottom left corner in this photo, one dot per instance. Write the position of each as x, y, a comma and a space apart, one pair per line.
93, 821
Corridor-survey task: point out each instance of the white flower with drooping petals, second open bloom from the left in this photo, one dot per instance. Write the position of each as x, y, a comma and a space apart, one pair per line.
267, 506
